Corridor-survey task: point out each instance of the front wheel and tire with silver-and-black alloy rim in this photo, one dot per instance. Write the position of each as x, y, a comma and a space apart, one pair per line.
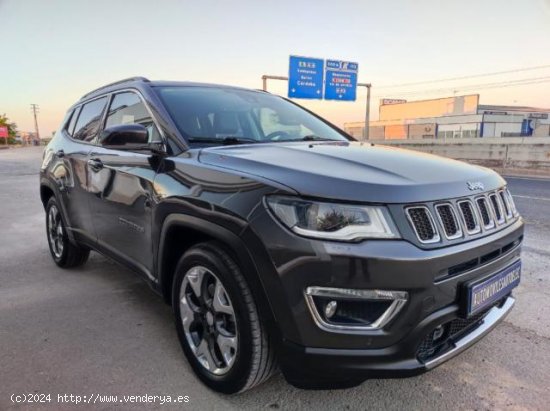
217, 321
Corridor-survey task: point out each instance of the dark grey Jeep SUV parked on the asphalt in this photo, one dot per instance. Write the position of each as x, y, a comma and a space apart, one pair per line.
278, 239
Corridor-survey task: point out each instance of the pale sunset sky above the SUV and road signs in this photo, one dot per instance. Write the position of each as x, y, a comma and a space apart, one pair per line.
55, 51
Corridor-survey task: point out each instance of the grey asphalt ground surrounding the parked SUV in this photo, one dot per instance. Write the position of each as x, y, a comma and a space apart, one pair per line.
101, 330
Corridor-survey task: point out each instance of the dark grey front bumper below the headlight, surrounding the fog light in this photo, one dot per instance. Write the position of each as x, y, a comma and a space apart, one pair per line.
288, 265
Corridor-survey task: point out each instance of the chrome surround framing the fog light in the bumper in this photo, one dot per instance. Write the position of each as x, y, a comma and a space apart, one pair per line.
398, 298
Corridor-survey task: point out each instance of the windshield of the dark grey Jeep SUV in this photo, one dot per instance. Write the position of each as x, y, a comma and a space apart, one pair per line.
211, 115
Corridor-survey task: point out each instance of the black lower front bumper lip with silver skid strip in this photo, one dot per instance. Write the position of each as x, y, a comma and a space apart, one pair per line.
308, 367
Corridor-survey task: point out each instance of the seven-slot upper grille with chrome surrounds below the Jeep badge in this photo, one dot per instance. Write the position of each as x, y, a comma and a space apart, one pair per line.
461, 218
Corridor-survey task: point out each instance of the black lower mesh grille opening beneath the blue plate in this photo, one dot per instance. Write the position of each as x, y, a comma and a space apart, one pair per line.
431, 346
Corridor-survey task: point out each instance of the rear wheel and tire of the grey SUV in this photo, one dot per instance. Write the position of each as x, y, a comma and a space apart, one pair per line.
64, 253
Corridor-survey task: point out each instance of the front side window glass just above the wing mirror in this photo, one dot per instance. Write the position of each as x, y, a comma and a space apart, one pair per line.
127, 108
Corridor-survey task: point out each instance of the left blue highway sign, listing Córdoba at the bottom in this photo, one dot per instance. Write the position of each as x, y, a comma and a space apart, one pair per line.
305, 77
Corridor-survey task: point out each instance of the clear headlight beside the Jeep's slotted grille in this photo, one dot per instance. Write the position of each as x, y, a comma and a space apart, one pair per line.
333, 221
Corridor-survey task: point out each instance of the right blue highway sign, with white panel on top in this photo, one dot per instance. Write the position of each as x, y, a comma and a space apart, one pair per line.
341, 80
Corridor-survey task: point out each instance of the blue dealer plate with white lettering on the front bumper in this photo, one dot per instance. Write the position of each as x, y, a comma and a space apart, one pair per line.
487, 292
